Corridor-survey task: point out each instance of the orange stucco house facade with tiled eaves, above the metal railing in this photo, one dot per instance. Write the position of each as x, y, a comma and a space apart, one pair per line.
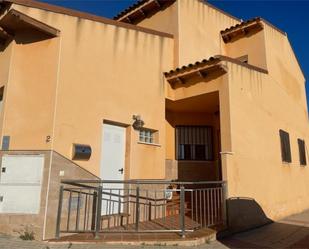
175, 90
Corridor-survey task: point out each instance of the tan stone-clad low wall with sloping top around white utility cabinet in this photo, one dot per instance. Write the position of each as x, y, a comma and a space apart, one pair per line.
43, 224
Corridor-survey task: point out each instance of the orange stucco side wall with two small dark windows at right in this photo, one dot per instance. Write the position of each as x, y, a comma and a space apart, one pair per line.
260, 106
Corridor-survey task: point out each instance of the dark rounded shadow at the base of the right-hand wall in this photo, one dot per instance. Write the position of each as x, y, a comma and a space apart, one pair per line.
243, 214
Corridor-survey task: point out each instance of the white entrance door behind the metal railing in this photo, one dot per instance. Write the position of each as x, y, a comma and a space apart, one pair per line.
112, 167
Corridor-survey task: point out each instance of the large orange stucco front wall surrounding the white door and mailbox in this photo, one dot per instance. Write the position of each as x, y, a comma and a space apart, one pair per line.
102, 72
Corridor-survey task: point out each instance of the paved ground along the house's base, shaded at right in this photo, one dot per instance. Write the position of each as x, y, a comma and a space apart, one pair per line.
292, 232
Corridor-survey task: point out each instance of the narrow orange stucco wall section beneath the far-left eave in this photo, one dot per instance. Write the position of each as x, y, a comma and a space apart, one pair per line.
30, 91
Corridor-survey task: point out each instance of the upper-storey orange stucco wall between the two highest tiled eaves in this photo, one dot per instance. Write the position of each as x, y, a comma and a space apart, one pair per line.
196, 27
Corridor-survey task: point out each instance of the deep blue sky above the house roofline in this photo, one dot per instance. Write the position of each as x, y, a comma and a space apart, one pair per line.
290, 16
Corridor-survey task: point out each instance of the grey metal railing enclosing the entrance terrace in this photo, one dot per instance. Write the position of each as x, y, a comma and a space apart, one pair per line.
90, 206
